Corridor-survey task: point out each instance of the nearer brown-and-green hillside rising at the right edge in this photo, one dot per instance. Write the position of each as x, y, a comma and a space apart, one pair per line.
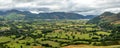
106, 17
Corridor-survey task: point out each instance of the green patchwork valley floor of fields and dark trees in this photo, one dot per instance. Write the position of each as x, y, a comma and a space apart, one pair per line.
55, 34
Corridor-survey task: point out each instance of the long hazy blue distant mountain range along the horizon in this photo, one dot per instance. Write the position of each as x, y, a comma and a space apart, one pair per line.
53, 15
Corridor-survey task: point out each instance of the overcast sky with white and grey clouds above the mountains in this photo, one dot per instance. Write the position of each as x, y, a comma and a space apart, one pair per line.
85, 7
